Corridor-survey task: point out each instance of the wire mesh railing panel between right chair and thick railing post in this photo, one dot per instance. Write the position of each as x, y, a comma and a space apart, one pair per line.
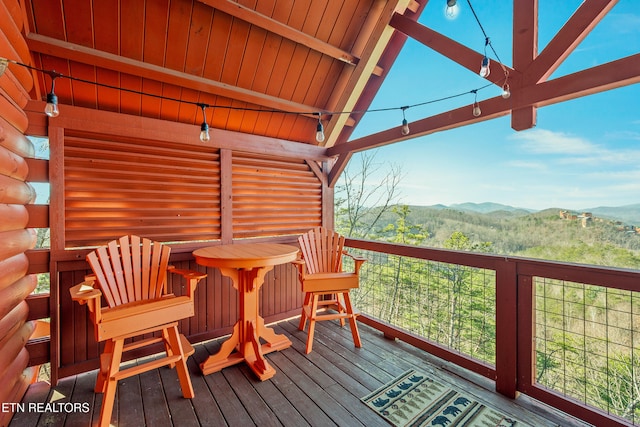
448, 304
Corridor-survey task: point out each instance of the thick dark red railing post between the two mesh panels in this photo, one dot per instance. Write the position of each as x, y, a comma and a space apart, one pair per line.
506, 328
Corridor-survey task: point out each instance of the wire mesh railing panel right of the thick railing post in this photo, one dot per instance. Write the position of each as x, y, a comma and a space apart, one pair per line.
588, 344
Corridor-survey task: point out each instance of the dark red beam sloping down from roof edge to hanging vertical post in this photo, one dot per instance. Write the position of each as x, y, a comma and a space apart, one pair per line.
453, 50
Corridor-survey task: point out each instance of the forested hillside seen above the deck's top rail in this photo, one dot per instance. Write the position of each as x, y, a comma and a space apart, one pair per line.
518, 232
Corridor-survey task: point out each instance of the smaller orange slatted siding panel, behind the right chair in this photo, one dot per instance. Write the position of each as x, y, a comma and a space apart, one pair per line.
274, 196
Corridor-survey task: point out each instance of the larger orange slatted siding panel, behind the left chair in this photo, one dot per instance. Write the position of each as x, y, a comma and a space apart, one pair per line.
154, 189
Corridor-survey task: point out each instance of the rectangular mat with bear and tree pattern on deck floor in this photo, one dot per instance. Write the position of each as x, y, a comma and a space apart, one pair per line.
416, 399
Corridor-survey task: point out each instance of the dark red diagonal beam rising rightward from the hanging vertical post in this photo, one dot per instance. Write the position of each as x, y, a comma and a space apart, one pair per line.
588, 15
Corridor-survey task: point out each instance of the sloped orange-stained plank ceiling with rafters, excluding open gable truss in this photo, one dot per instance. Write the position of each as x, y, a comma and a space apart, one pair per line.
244, 58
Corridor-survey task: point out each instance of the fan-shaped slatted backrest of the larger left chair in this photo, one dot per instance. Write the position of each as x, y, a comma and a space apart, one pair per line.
130, 269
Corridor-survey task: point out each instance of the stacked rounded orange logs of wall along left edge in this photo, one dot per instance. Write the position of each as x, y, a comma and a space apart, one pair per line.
16, 239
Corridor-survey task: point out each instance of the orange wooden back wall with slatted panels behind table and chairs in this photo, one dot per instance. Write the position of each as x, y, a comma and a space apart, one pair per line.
113, 174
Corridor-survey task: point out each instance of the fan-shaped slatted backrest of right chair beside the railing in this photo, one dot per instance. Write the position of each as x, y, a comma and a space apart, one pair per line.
322, 250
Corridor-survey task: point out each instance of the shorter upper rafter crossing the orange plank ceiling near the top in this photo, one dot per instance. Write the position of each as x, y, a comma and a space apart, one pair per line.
252, 17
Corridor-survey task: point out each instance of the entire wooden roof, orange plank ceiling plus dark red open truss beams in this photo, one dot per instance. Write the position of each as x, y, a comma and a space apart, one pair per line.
252, 60
